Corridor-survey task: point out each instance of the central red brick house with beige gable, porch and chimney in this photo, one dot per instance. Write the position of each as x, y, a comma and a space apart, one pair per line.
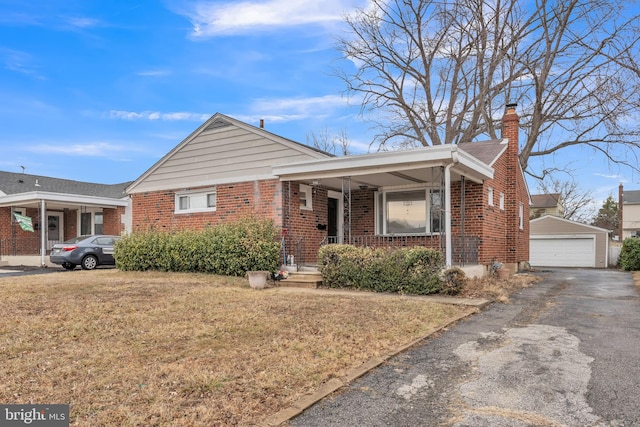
468, 200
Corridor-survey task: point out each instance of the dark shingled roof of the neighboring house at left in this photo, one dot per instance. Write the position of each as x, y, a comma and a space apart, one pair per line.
12, 183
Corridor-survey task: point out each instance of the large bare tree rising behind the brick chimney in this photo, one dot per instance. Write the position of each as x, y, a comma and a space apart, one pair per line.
436, 72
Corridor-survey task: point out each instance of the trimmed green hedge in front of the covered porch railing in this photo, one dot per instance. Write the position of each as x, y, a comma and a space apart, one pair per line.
408, 271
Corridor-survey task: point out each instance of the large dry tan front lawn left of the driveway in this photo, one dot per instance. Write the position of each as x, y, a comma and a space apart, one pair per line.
176, 349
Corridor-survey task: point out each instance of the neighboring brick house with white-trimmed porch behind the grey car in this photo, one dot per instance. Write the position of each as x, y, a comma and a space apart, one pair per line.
68, 208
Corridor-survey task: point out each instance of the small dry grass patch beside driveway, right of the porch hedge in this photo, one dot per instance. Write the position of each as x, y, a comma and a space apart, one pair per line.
492, 288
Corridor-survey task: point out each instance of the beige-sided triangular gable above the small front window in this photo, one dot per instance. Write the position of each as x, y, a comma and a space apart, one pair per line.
222, 150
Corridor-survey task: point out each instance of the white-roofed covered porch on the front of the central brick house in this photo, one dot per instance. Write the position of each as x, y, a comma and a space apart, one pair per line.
418, 197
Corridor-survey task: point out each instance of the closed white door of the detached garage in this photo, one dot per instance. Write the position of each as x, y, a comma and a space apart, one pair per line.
563, 251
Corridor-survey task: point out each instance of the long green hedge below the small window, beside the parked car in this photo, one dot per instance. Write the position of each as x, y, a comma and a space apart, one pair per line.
229, 249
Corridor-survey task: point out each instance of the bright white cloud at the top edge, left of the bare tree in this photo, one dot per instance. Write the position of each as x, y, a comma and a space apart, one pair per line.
210, 18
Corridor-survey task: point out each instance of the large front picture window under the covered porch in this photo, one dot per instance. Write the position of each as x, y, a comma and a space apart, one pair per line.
413, 211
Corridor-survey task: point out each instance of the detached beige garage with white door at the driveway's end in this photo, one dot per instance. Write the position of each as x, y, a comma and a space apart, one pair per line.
559, 242
